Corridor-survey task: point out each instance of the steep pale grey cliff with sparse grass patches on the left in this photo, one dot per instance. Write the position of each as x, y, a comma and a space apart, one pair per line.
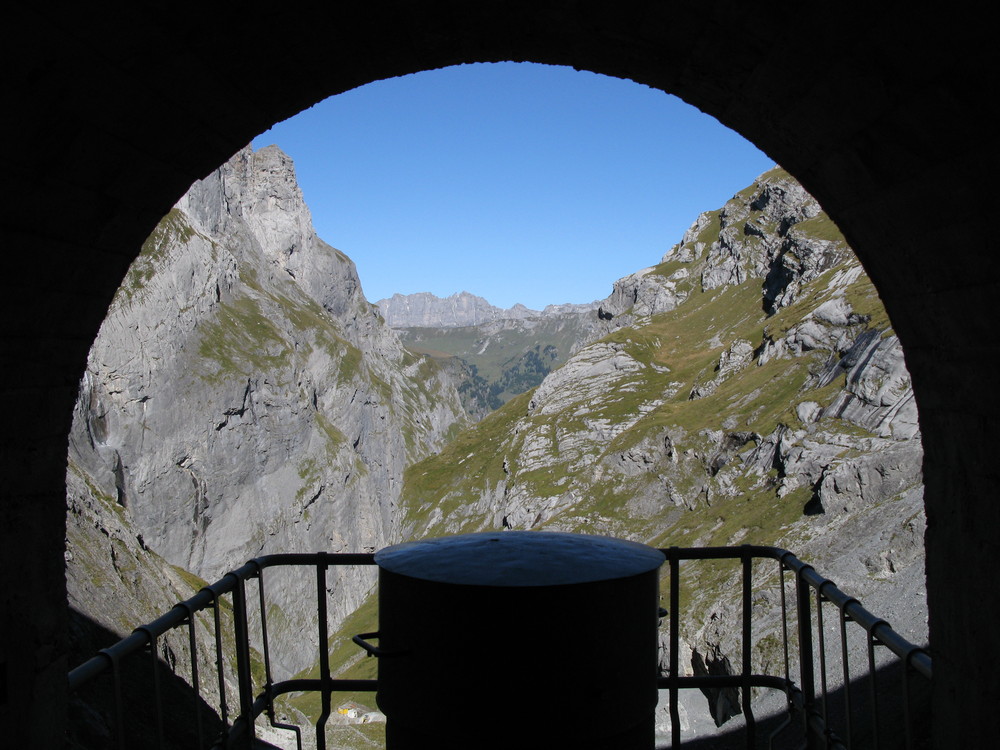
243, 397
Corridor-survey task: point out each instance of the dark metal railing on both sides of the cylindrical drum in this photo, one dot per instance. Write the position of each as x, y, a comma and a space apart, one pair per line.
808, 717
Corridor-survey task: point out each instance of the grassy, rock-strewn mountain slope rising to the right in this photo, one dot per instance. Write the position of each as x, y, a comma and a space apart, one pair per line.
750, 390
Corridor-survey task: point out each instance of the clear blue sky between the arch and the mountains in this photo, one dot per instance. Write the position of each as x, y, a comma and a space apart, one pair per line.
517, 182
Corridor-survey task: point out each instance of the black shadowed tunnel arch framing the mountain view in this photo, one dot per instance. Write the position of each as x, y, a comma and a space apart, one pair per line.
887, 116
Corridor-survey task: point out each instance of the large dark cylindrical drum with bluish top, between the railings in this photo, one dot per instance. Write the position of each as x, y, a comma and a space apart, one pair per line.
518, 639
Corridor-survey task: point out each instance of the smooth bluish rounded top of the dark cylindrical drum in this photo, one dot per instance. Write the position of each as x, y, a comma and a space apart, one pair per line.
519, 558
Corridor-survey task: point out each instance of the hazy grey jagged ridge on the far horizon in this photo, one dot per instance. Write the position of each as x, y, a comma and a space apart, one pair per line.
426, 310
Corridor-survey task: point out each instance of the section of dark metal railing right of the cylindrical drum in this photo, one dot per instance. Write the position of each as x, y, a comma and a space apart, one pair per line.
808, 704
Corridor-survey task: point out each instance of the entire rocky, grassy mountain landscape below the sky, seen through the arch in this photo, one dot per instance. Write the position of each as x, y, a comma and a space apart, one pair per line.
243, 398
